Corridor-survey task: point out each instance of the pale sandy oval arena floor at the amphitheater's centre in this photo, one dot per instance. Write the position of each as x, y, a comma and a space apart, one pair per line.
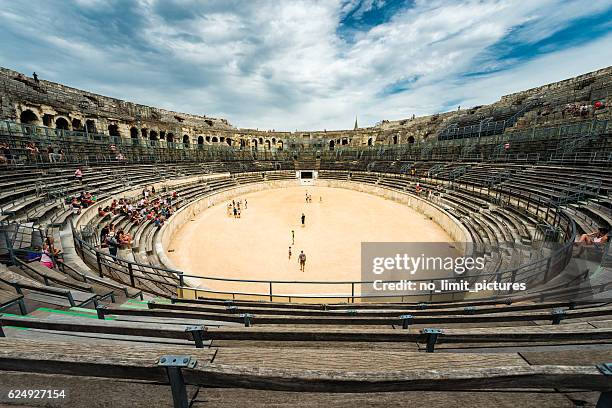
256, 245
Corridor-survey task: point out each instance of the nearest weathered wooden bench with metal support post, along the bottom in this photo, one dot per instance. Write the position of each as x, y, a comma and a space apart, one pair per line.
374, 372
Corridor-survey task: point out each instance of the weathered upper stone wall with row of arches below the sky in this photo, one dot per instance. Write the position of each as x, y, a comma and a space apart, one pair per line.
46, 103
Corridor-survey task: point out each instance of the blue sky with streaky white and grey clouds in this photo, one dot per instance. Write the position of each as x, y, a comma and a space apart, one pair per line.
289, 65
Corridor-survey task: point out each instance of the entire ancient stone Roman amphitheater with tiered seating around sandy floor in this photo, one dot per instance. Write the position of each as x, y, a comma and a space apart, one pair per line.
152, 258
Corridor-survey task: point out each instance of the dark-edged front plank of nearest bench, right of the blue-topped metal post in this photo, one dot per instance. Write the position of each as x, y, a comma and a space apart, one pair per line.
503, 377
